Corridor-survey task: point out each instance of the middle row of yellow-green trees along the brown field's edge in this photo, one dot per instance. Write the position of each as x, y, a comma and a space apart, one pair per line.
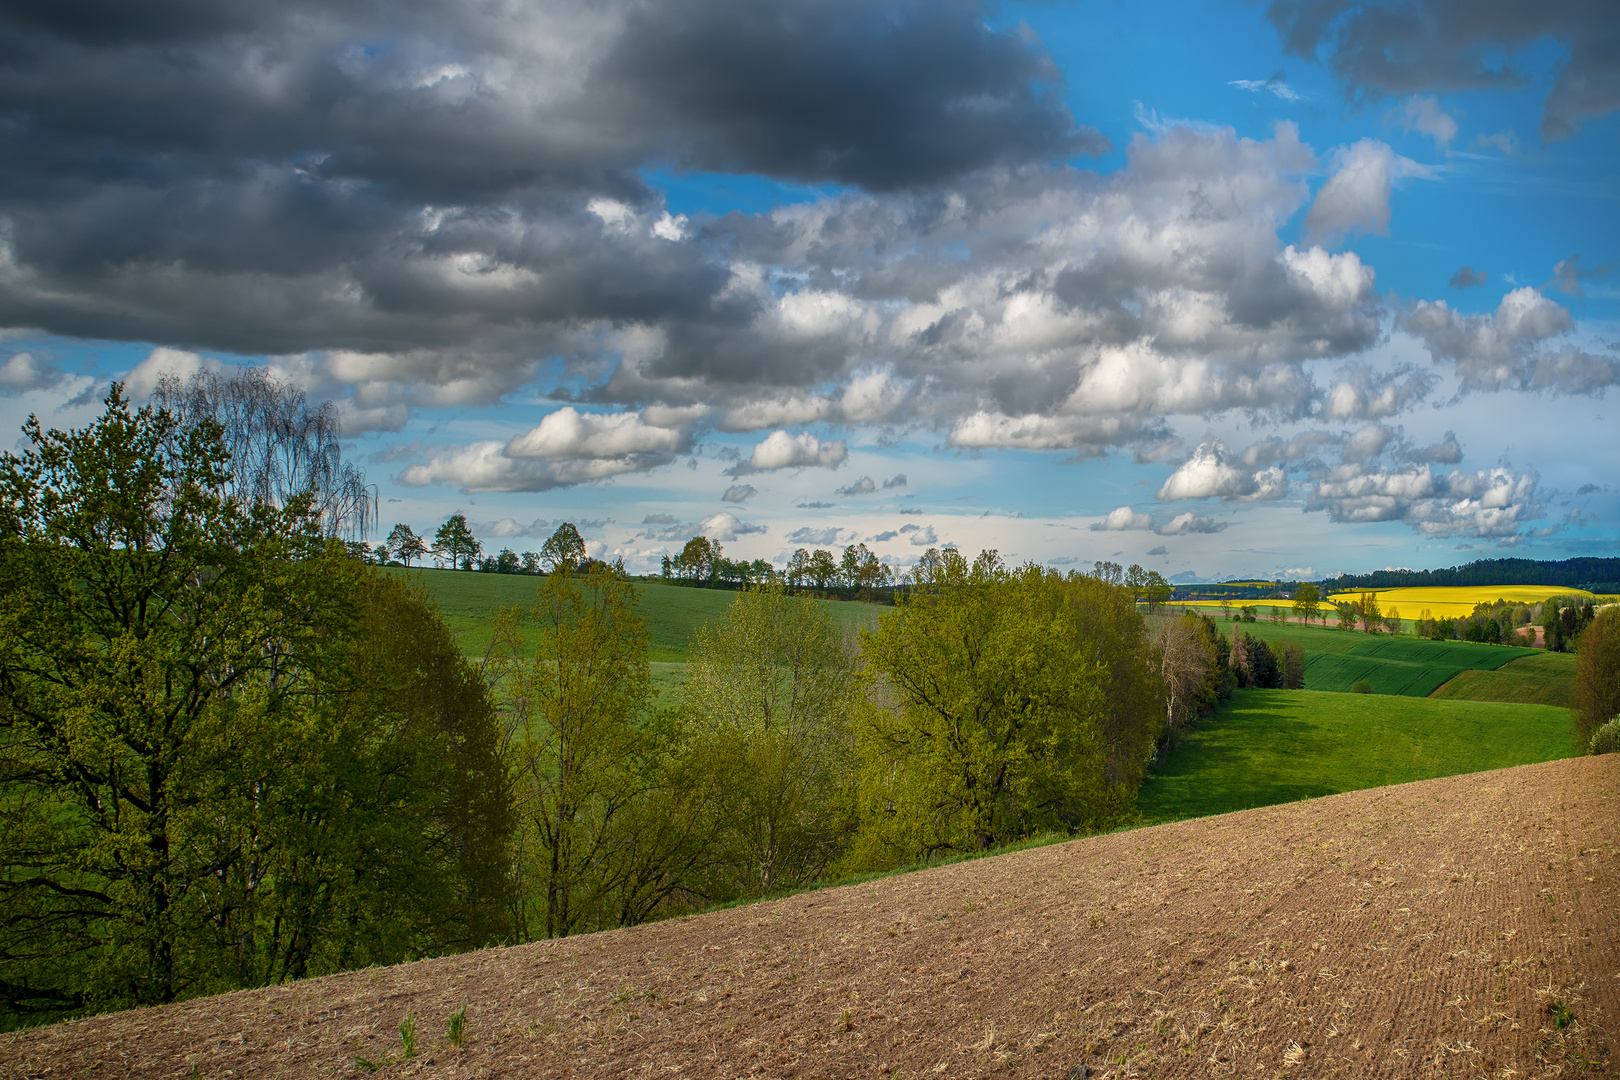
989, 705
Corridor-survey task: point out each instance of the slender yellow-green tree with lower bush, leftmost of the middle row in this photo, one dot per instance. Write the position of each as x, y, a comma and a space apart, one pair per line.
616, 806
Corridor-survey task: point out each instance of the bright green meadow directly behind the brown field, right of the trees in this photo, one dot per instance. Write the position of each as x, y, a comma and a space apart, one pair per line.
1273, 747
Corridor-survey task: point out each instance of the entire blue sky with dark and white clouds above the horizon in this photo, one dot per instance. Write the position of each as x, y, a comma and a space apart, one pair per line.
1230, 291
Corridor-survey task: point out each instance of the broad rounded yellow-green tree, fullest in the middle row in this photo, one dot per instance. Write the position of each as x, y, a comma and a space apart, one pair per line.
995, 720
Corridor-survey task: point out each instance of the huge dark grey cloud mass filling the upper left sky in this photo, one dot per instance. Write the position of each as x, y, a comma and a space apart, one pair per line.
288, 177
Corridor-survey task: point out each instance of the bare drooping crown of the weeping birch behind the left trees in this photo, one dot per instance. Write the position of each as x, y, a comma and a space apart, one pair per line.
279, 446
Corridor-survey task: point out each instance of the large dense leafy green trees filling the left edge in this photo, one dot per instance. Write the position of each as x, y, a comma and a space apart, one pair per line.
203, 780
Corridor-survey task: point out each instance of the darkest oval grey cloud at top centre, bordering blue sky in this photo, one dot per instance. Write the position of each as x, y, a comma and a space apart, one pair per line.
874, 95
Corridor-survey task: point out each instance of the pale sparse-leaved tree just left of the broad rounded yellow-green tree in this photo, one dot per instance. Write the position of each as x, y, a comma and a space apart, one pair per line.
775, 686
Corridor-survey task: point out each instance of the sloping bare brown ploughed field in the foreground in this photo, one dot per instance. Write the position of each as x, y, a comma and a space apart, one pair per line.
1465, 927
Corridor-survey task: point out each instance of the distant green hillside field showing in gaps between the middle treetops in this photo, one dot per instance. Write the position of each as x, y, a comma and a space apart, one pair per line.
469, 602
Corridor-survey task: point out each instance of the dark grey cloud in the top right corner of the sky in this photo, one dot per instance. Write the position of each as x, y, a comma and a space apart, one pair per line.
1404, 48
